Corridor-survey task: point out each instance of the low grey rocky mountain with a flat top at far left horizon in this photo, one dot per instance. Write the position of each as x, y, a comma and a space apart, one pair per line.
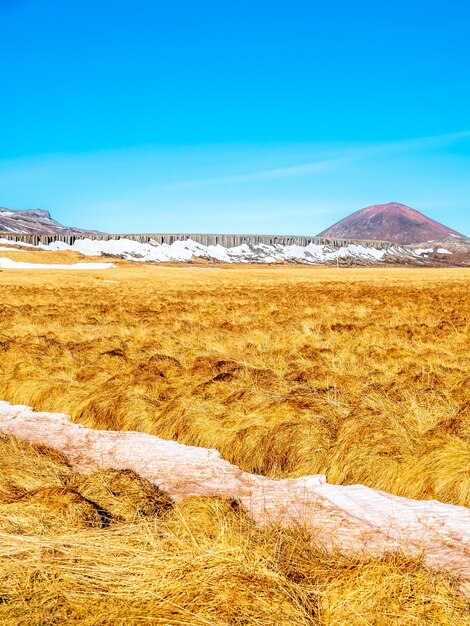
33, 221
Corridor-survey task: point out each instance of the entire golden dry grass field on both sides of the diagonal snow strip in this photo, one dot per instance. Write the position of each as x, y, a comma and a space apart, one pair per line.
363, 375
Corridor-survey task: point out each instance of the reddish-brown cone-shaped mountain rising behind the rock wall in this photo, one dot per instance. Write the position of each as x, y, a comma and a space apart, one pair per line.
393, 222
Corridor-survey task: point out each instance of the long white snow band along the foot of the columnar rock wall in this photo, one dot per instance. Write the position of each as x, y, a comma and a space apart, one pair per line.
187, 250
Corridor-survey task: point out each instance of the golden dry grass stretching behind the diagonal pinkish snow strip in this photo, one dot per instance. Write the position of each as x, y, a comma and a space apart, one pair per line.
362, 375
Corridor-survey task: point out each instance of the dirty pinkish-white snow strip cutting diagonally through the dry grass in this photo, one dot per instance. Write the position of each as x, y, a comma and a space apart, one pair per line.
353, 519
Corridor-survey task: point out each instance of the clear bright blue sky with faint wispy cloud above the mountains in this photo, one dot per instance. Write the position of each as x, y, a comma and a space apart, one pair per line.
246, 116
